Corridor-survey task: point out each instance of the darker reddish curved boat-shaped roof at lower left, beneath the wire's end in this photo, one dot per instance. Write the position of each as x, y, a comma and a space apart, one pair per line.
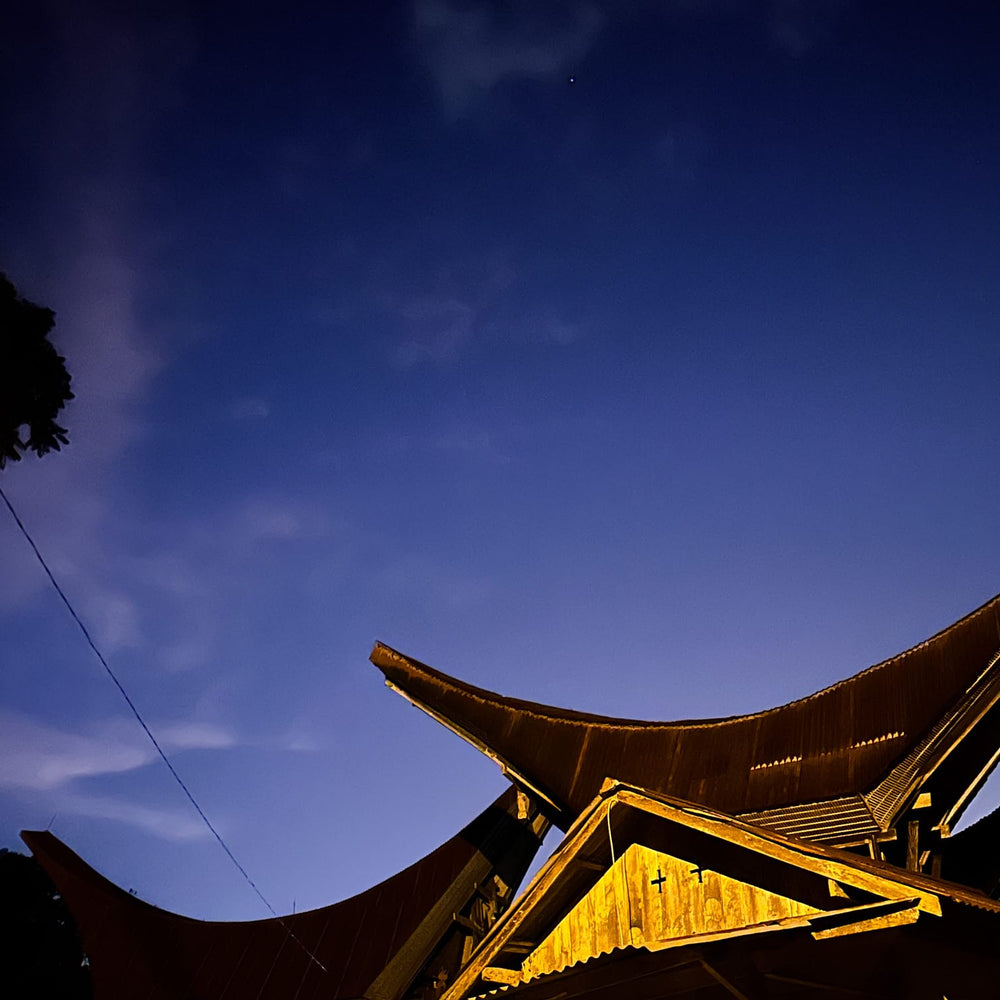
372, 945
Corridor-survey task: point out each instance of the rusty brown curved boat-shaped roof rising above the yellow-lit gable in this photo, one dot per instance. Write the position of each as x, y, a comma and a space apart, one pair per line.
836, 743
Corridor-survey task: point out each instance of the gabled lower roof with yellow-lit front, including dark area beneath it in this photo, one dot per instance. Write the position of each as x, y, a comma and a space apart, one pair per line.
814, 898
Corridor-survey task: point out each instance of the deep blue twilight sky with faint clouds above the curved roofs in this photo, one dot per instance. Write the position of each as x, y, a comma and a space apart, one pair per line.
667, 392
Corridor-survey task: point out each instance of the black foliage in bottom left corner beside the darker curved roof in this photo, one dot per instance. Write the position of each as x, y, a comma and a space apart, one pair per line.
40, 952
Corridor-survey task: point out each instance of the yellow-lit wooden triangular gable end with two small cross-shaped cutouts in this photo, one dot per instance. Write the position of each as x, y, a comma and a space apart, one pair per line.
682, 875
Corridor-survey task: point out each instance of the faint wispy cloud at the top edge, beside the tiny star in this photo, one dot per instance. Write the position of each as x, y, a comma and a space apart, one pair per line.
469, 49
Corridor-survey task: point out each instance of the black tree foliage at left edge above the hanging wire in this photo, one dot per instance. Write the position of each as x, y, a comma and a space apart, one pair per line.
34, 383
